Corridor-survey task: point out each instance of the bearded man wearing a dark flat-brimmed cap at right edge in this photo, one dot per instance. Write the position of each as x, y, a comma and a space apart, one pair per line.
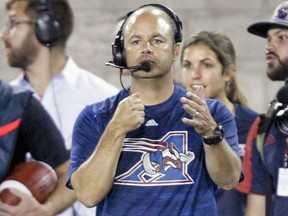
265, 161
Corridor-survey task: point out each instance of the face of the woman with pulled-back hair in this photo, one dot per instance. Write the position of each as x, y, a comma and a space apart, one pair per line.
201, 67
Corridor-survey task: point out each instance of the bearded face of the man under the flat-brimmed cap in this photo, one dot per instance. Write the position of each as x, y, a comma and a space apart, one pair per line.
277, 54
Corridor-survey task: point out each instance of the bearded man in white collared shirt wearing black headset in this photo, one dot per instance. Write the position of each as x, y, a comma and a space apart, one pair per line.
35, 39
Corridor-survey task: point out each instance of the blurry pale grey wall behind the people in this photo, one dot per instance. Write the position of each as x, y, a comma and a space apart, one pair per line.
95, 20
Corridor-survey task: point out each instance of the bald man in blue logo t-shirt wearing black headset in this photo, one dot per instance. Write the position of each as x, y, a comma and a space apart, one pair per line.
153, 149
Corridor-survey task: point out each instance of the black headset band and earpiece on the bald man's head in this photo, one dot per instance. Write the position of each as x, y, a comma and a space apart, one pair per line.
118, 51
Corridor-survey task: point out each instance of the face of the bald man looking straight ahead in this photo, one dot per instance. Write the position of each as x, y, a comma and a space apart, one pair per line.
148, 36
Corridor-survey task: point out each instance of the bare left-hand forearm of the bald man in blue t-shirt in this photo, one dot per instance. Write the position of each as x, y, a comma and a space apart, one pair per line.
95, 177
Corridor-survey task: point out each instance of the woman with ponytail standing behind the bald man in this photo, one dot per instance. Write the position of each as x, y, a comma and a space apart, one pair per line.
208, 61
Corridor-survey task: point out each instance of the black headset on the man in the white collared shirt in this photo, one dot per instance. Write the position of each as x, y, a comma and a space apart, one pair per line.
47, 28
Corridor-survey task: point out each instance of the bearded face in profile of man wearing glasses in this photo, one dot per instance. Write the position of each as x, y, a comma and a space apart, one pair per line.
19, 37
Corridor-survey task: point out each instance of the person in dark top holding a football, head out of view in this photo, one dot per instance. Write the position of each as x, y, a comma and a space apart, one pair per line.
25, 127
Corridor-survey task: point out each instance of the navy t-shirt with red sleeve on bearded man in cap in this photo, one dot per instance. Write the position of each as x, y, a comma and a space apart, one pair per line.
274, 149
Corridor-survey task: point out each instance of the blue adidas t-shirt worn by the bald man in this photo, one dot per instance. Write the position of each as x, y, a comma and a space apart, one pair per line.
161, 170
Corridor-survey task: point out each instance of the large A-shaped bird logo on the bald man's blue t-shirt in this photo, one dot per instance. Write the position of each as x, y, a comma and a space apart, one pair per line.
161, 162
